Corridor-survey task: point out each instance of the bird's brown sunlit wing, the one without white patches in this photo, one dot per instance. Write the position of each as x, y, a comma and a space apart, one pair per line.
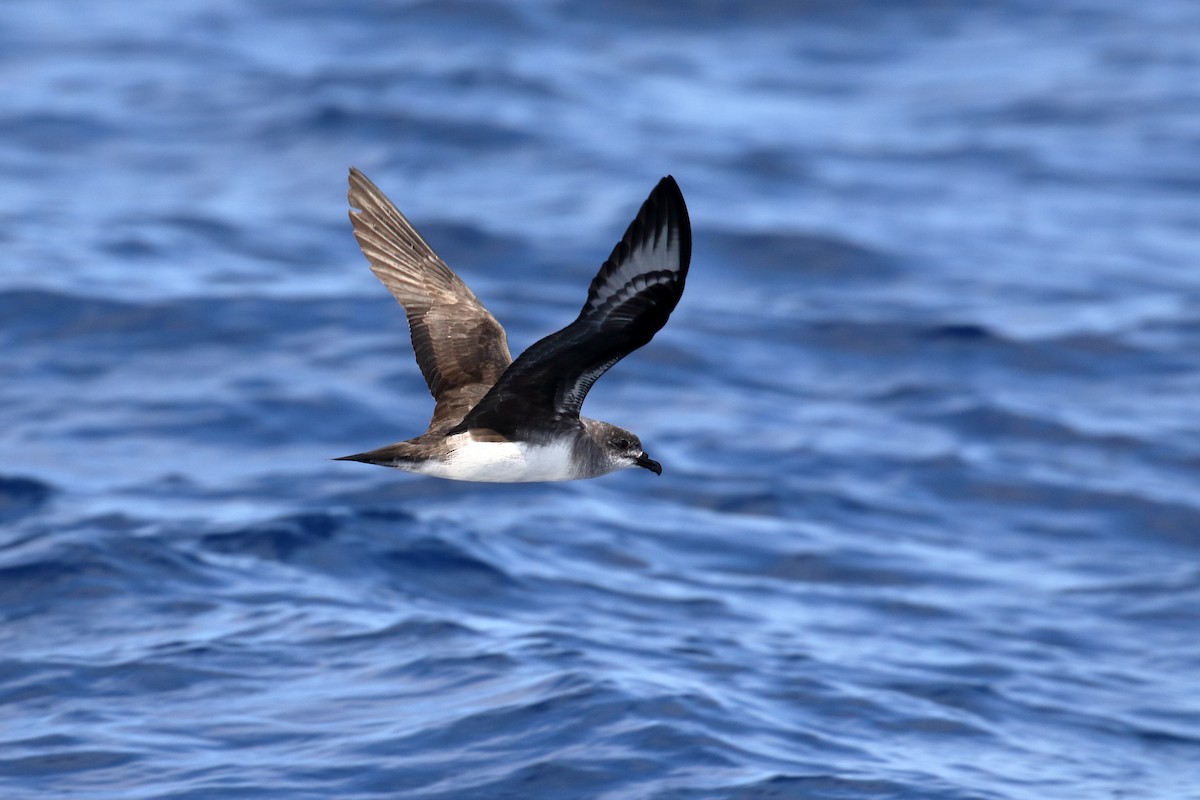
460, 347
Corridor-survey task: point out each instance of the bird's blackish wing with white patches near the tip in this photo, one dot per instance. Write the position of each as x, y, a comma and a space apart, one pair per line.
629, 302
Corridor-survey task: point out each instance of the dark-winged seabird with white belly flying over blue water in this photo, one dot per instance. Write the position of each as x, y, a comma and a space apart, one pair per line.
506, 422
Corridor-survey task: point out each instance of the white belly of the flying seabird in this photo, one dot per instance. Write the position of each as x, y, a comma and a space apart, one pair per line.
501, 462
